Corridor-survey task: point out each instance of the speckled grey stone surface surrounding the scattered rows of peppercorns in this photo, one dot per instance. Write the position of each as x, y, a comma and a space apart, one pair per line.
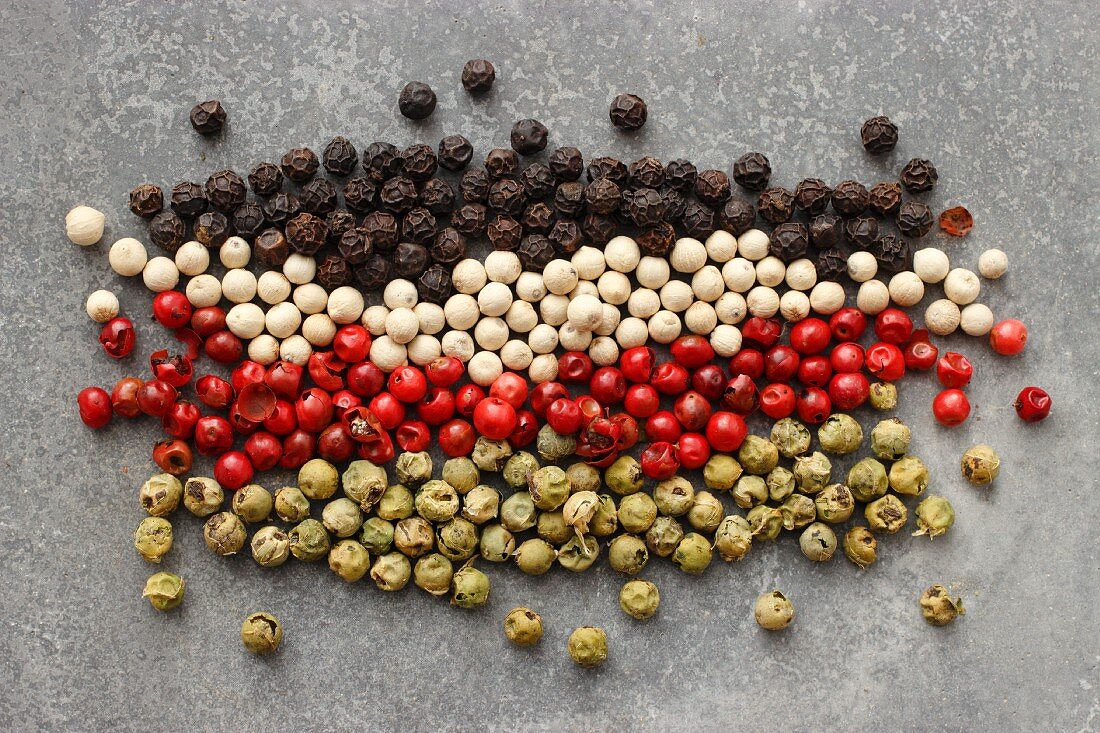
94, 99
